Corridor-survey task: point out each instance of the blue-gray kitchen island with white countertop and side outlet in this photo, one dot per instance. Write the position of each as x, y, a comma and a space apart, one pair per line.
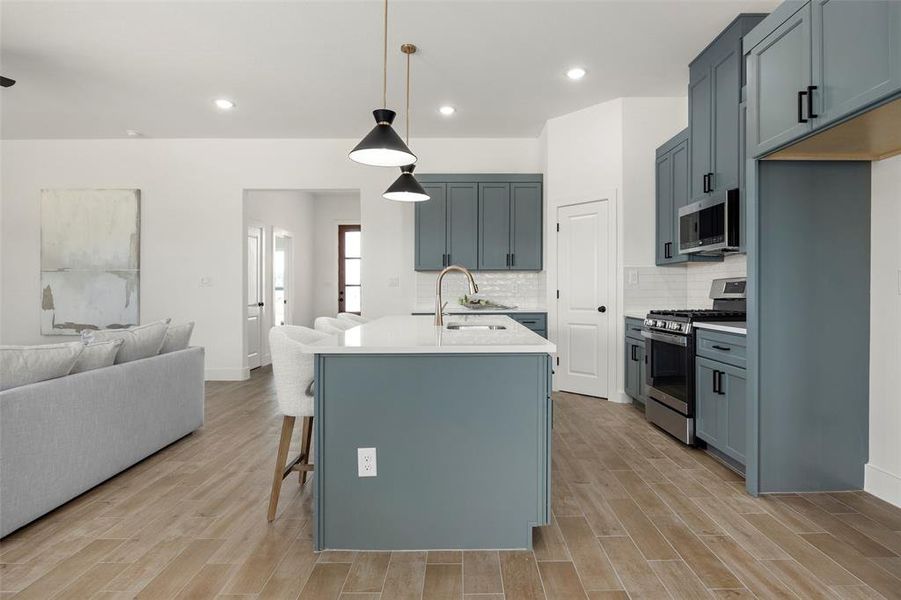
460, 418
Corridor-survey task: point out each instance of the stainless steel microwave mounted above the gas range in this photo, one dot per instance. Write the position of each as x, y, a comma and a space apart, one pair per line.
711, 225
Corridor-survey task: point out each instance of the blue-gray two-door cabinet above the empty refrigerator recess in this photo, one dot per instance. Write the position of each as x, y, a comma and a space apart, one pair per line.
813, 64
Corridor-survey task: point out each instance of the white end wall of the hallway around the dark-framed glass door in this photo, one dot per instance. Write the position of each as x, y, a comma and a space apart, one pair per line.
331, 210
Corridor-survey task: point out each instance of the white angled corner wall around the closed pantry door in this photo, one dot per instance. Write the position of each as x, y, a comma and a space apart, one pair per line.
607, 152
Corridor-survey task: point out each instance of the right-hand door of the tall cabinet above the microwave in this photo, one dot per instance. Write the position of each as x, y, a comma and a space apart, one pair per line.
725, 73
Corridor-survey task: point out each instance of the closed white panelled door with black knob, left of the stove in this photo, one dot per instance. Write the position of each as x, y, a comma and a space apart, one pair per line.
582, 316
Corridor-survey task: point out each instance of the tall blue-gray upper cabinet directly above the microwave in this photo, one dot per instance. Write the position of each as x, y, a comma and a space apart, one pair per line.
714, 95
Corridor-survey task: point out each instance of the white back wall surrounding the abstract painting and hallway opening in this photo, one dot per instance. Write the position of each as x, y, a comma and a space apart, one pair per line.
193, 223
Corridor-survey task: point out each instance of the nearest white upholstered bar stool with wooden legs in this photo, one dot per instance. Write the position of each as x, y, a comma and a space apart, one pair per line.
292, 370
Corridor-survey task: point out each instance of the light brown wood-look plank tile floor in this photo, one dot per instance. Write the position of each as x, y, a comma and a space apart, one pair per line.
636, 515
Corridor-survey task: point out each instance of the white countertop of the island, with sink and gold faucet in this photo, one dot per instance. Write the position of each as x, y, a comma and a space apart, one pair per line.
418, 335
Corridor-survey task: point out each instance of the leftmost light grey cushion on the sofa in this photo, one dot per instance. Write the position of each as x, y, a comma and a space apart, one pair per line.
21, 365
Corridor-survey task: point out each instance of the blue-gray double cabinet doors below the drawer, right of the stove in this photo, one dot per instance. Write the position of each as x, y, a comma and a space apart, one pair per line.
721, 407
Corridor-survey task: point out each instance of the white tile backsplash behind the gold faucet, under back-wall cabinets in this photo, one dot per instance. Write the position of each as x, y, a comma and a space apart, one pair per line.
522, 289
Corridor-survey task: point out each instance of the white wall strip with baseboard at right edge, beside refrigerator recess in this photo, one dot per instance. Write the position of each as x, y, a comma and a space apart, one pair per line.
883, 472
